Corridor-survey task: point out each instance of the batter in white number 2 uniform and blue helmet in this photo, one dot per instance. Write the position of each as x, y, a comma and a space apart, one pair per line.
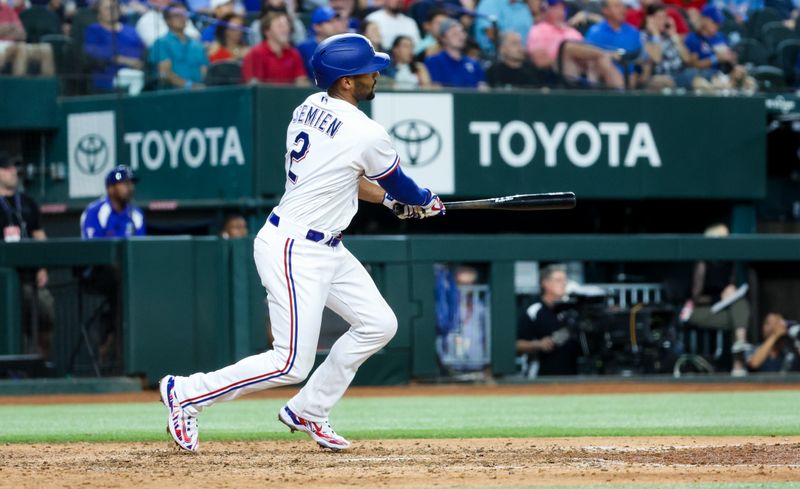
331, 146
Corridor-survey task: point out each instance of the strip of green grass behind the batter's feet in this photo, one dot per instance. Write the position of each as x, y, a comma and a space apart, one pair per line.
742, 413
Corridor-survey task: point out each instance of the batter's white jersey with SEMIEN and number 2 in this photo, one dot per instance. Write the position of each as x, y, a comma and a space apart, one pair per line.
330, 144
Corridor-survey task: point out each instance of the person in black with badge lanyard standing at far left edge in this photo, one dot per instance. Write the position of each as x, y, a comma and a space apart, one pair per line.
20, 220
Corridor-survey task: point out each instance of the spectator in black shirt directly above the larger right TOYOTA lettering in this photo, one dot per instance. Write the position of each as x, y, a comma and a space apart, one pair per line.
513, 68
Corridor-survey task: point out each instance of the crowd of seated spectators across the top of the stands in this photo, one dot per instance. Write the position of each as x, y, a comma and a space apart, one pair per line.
732, 46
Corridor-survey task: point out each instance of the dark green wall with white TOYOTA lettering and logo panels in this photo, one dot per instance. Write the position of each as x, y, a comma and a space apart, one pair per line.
225, 145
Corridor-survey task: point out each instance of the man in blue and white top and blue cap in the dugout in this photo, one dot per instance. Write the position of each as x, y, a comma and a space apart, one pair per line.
113, 216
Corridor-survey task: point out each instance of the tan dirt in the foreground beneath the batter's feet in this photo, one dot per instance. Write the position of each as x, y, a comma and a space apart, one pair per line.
406, 463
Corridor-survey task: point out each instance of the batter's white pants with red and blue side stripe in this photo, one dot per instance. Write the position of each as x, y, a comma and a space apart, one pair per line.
301, 278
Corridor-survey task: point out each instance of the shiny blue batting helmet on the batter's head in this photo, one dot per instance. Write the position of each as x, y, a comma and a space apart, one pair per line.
345, 55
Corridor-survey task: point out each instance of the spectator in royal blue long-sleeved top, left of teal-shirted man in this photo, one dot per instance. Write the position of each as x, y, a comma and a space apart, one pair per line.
116, 50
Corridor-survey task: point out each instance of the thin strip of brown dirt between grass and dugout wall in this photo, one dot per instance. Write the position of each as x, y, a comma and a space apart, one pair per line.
600, 387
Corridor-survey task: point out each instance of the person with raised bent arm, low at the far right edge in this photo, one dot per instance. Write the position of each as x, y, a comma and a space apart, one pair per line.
779, 351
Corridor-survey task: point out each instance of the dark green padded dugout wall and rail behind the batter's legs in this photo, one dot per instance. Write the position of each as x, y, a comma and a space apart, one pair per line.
194, 304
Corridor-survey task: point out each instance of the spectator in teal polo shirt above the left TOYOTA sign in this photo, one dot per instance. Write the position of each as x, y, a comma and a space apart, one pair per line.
181, 61
